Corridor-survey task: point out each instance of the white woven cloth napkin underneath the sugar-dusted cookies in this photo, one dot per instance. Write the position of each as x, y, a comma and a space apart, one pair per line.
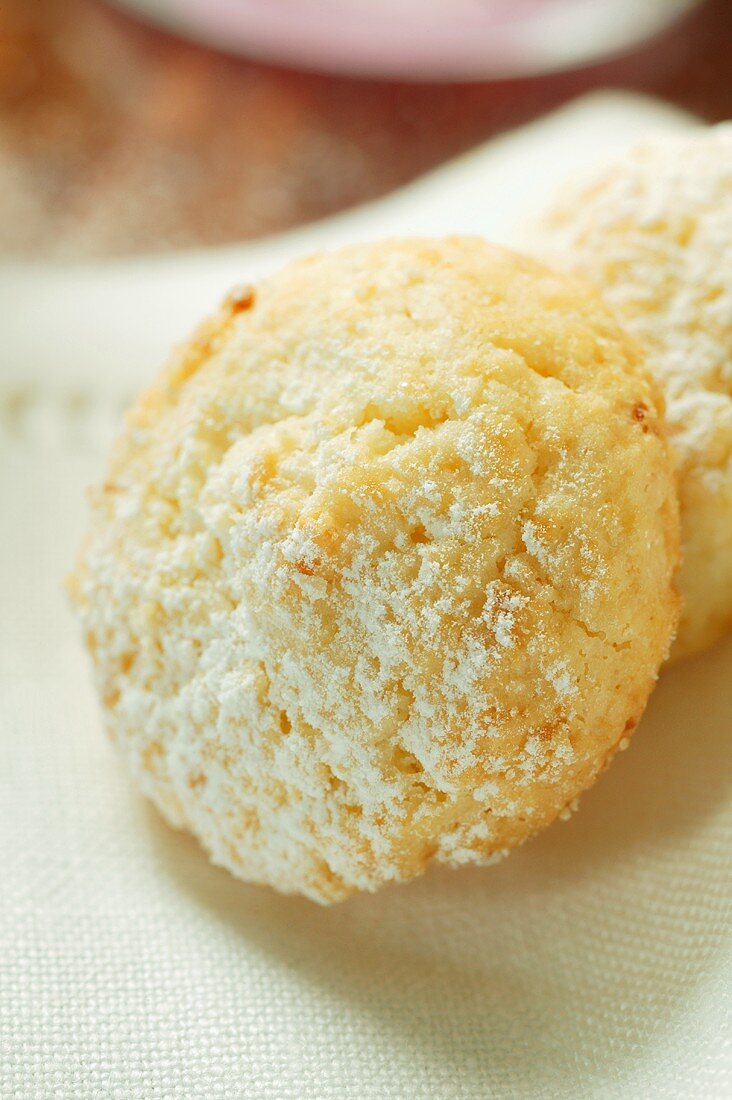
594, 963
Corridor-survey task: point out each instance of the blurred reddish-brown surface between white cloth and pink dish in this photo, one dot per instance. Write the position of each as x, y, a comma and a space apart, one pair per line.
117, 139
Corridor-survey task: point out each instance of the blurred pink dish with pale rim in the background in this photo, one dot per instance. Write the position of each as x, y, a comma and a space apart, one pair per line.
419, 39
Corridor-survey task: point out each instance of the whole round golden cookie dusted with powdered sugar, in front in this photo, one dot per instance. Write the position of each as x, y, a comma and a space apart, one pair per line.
381, 574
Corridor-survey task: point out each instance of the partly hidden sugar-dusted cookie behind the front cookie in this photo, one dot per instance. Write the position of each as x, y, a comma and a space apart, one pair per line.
654, 233
